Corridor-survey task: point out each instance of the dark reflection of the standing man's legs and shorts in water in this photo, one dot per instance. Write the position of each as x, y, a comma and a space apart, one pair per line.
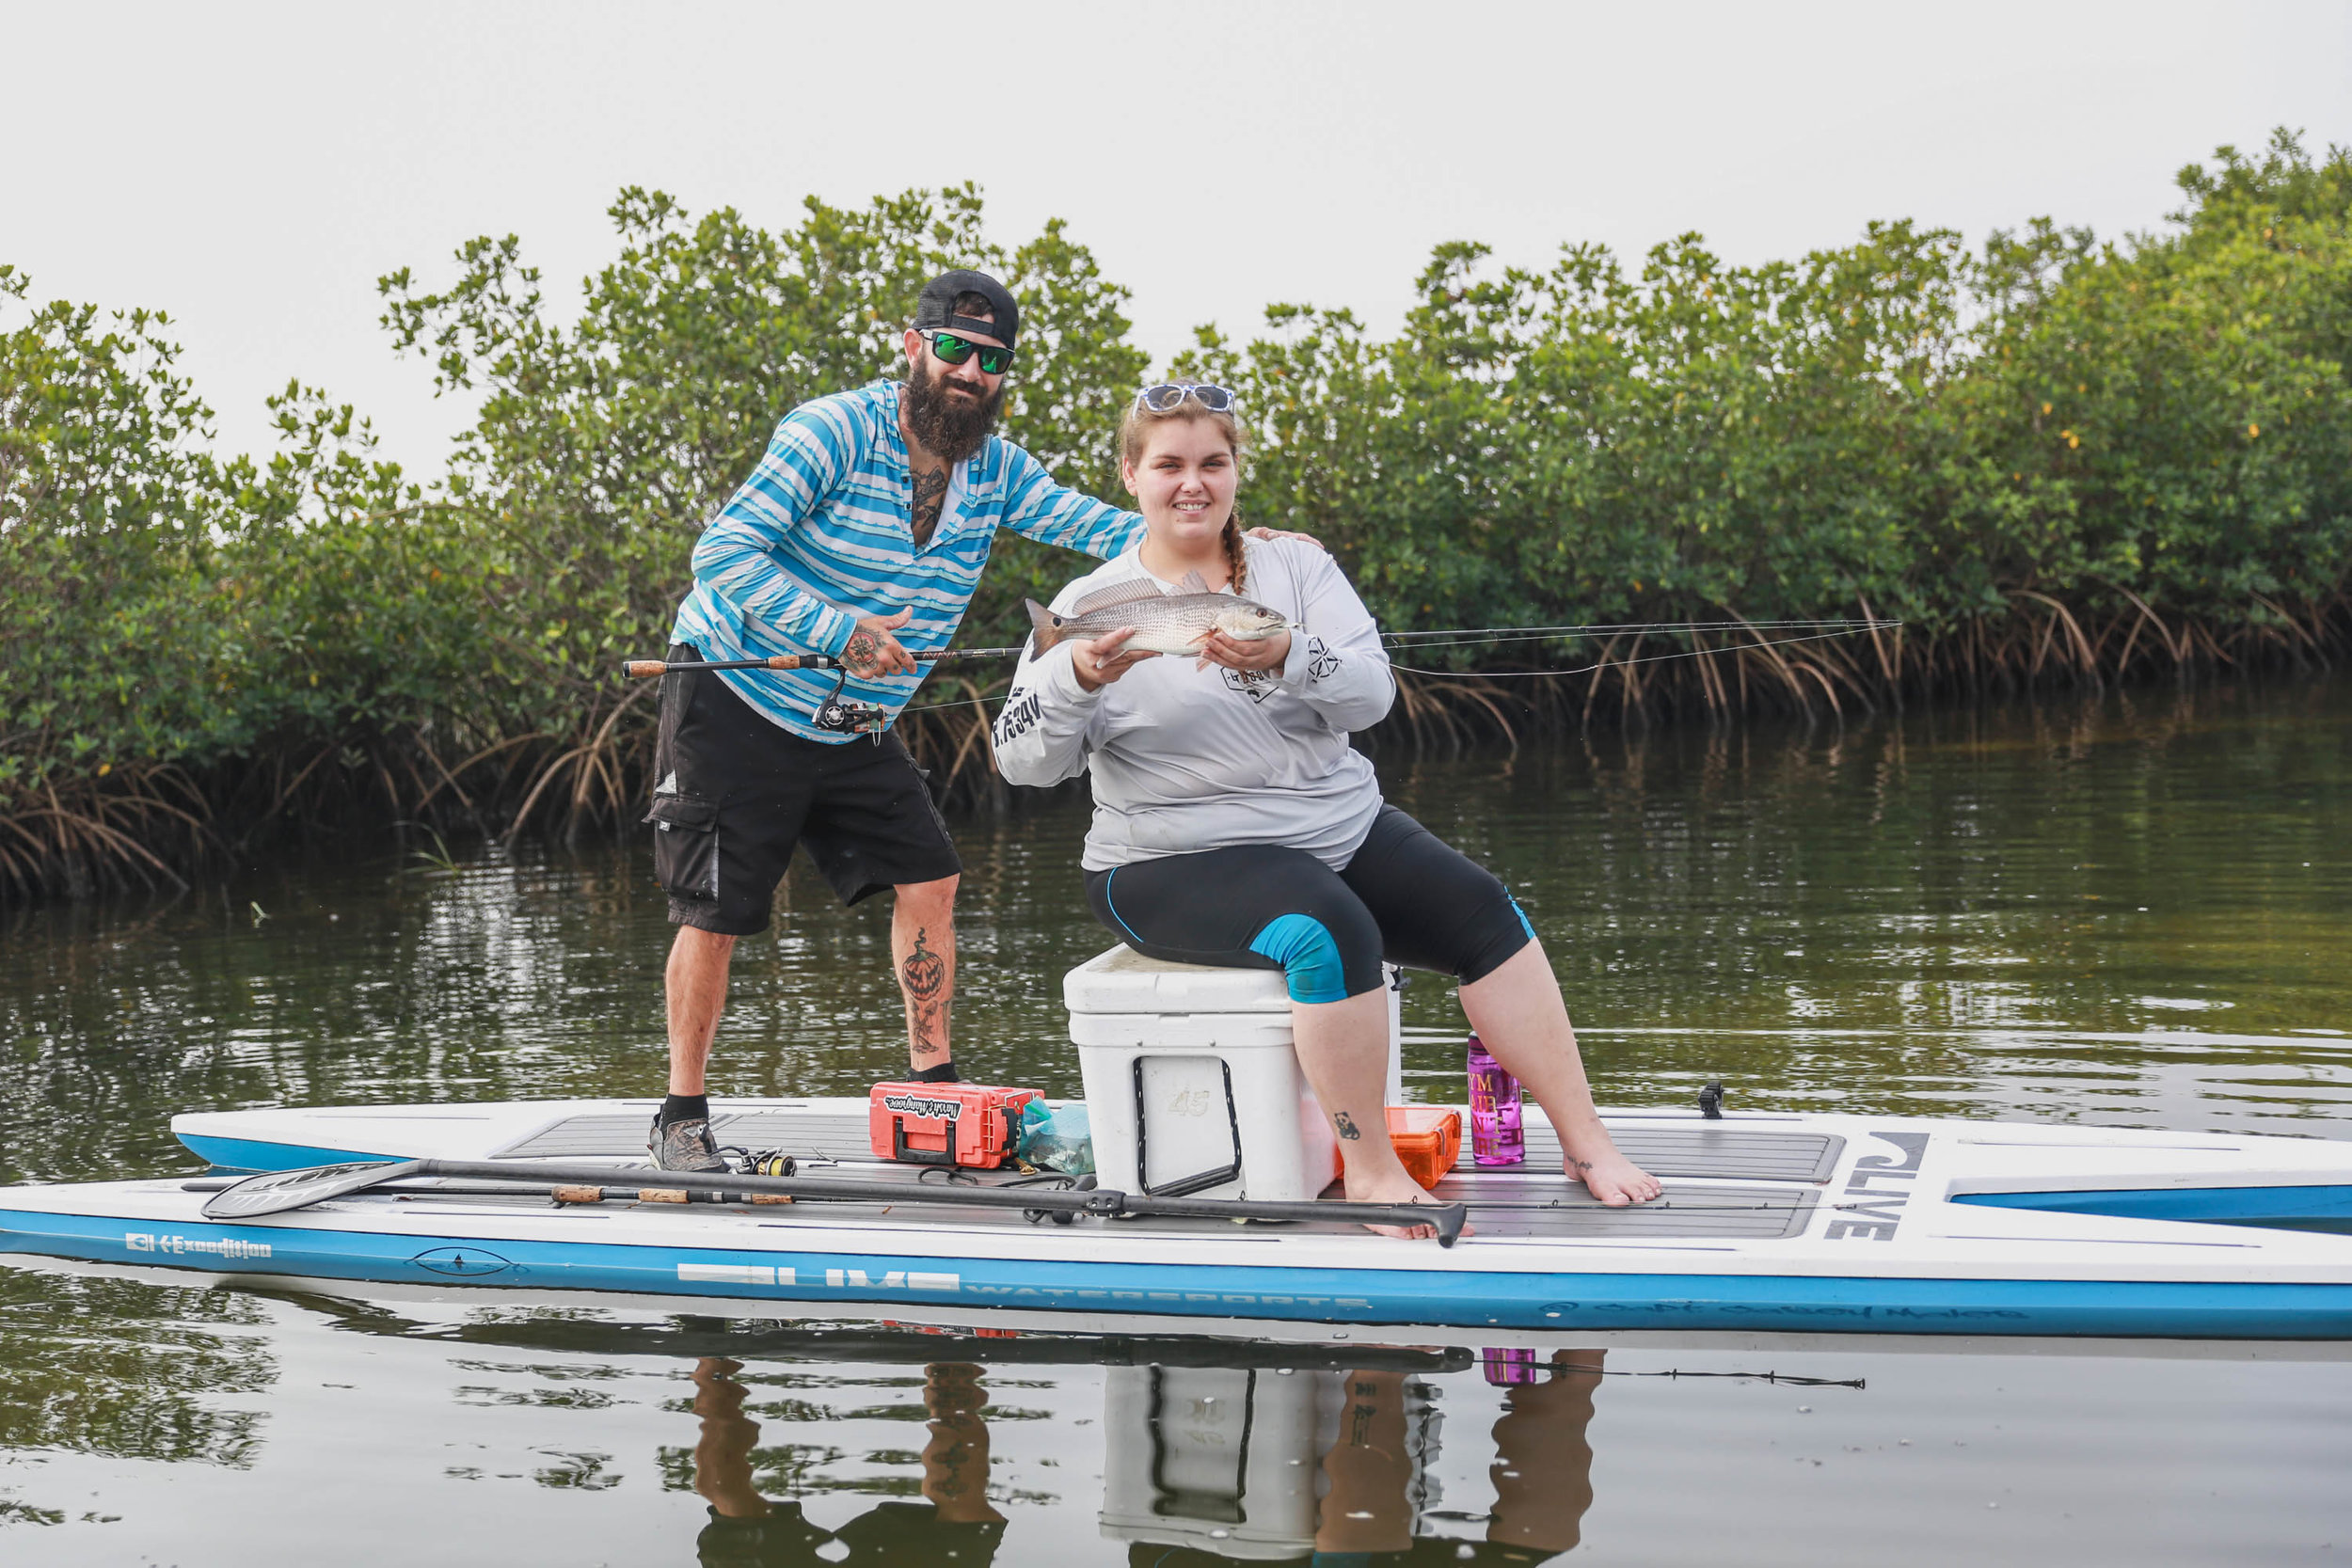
956, 1522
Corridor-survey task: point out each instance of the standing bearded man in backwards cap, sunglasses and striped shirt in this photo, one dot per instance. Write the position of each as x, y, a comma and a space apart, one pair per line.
862, 535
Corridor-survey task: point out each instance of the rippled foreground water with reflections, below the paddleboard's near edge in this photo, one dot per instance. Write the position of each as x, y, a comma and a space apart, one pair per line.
236, 1426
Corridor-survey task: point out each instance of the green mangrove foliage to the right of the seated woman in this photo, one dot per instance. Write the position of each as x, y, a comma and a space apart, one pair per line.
1897, 424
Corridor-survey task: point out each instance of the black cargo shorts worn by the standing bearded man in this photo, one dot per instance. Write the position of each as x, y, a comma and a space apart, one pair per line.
735, 793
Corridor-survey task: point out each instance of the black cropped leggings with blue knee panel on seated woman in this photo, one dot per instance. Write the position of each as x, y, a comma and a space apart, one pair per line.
1408, 897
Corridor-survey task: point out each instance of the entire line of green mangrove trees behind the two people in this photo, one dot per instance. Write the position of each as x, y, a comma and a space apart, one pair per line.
1977, 441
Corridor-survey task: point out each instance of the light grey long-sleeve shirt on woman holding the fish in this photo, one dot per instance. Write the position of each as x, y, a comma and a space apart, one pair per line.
1189, 760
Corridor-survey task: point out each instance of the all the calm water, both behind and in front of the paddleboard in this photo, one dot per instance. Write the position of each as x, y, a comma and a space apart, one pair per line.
2130, 911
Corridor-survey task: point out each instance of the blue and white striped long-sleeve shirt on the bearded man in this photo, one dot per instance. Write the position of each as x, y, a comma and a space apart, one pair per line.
822, 532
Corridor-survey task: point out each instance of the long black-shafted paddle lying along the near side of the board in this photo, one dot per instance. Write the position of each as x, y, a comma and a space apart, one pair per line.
283, 1191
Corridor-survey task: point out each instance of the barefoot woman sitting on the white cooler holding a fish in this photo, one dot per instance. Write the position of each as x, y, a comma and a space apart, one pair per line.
1234, 824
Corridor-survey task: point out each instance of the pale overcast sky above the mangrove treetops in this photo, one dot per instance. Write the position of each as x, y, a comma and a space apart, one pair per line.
255, 168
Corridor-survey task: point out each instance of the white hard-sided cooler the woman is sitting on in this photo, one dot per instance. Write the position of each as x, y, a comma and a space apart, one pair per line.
1194, 1085
